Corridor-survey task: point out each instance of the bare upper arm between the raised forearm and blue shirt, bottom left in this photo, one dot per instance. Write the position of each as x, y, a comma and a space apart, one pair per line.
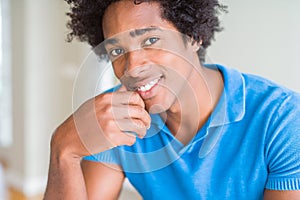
102, 180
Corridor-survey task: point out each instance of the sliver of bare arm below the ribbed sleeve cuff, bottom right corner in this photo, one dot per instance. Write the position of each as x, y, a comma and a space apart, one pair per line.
282, 195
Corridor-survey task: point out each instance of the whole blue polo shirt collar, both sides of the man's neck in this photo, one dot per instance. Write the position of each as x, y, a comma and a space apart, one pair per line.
230, 109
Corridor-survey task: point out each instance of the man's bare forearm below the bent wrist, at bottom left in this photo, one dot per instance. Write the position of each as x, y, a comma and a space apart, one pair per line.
65, 180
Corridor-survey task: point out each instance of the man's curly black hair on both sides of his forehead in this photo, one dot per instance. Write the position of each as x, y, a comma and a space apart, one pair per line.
197, 19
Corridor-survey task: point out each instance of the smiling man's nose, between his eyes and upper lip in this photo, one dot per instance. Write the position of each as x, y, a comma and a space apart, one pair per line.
137, 63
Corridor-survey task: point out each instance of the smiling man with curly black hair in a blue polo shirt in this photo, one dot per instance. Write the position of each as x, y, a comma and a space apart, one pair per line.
176, 128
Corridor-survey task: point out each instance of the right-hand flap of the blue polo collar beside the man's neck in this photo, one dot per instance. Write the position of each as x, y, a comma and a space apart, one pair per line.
230, 108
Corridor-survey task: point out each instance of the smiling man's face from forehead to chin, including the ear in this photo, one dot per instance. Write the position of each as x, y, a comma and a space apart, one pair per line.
148, 54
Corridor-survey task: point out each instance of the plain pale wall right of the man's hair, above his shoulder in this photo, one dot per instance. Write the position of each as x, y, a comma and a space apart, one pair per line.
261, 37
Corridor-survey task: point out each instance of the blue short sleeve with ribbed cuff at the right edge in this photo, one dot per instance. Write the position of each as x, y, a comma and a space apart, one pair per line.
282, 150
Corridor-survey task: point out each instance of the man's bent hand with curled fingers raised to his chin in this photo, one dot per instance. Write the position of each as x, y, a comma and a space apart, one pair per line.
101, 123
